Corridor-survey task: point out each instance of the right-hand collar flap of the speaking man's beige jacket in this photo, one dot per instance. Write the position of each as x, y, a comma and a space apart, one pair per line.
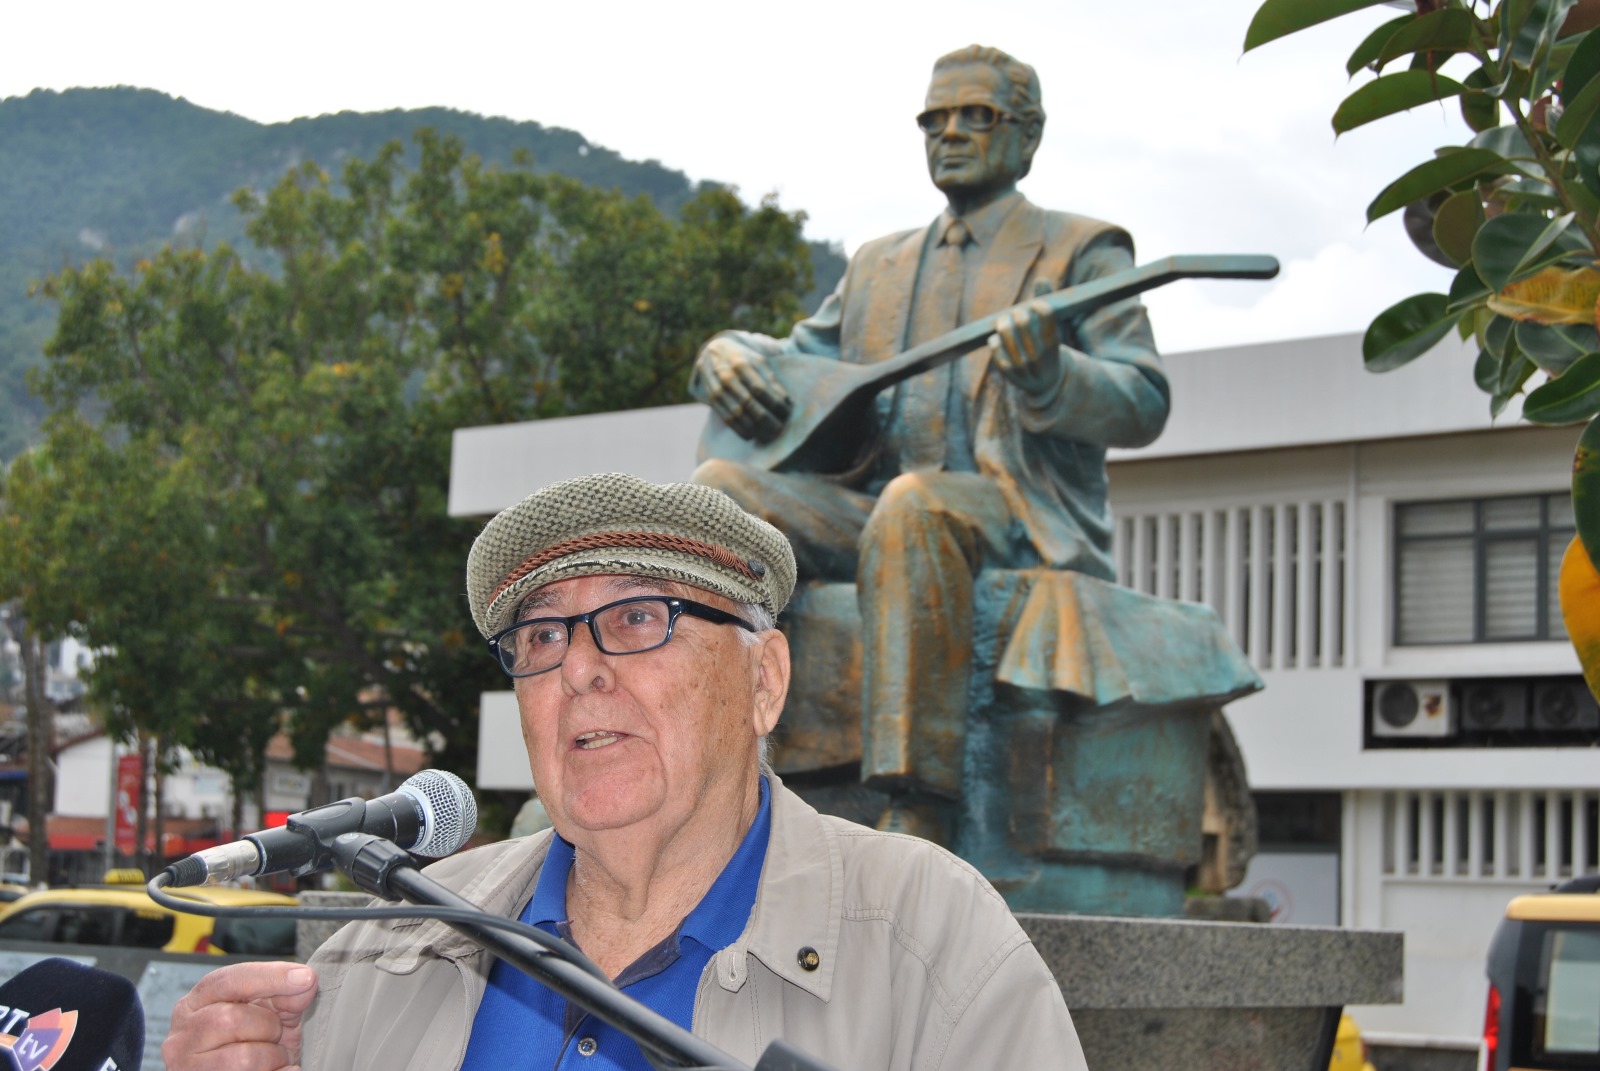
791, 912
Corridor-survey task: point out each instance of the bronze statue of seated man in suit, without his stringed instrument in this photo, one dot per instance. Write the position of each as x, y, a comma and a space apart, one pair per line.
996, 460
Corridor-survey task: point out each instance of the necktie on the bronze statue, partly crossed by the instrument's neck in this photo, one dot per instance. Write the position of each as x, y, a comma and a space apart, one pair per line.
937, 311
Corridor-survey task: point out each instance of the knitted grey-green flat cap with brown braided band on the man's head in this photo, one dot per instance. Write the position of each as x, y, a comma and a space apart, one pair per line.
622, 524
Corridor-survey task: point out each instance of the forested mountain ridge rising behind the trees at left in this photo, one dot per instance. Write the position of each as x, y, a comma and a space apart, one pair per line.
121, 172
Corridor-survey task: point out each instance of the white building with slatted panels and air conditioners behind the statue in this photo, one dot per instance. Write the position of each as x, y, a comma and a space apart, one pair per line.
1386, 558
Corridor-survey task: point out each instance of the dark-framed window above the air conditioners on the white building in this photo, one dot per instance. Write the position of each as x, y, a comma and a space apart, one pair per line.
1481, 571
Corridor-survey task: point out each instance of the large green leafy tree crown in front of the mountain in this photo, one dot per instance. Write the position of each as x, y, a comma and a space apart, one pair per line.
254, 527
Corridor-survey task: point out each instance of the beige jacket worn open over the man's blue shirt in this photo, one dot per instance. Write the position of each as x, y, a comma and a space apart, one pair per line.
922, 965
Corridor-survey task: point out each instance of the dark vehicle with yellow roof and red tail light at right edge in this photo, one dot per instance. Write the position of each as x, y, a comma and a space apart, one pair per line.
1543, 1009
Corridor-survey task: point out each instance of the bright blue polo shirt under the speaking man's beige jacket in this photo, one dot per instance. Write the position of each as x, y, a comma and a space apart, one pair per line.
526, 1025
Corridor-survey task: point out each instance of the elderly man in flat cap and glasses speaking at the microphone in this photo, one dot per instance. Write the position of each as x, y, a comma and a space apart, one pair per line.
638, 625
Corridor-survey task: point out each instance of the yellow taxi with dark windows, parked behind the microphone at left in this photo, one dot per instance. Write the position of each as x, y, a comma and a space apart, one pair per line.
124, 915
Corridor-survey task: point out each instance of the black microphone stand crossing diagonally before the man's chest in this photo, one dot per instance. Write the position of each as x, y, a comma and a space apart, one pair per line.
386, 870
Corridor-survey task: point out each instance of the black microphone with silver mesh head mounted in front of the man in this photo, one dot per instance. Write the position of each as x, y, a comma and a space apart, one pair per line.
431, 814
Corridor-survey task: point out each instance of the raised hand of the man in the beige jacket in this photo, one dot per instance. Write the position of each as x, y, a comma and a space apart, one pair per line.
242, 1017
